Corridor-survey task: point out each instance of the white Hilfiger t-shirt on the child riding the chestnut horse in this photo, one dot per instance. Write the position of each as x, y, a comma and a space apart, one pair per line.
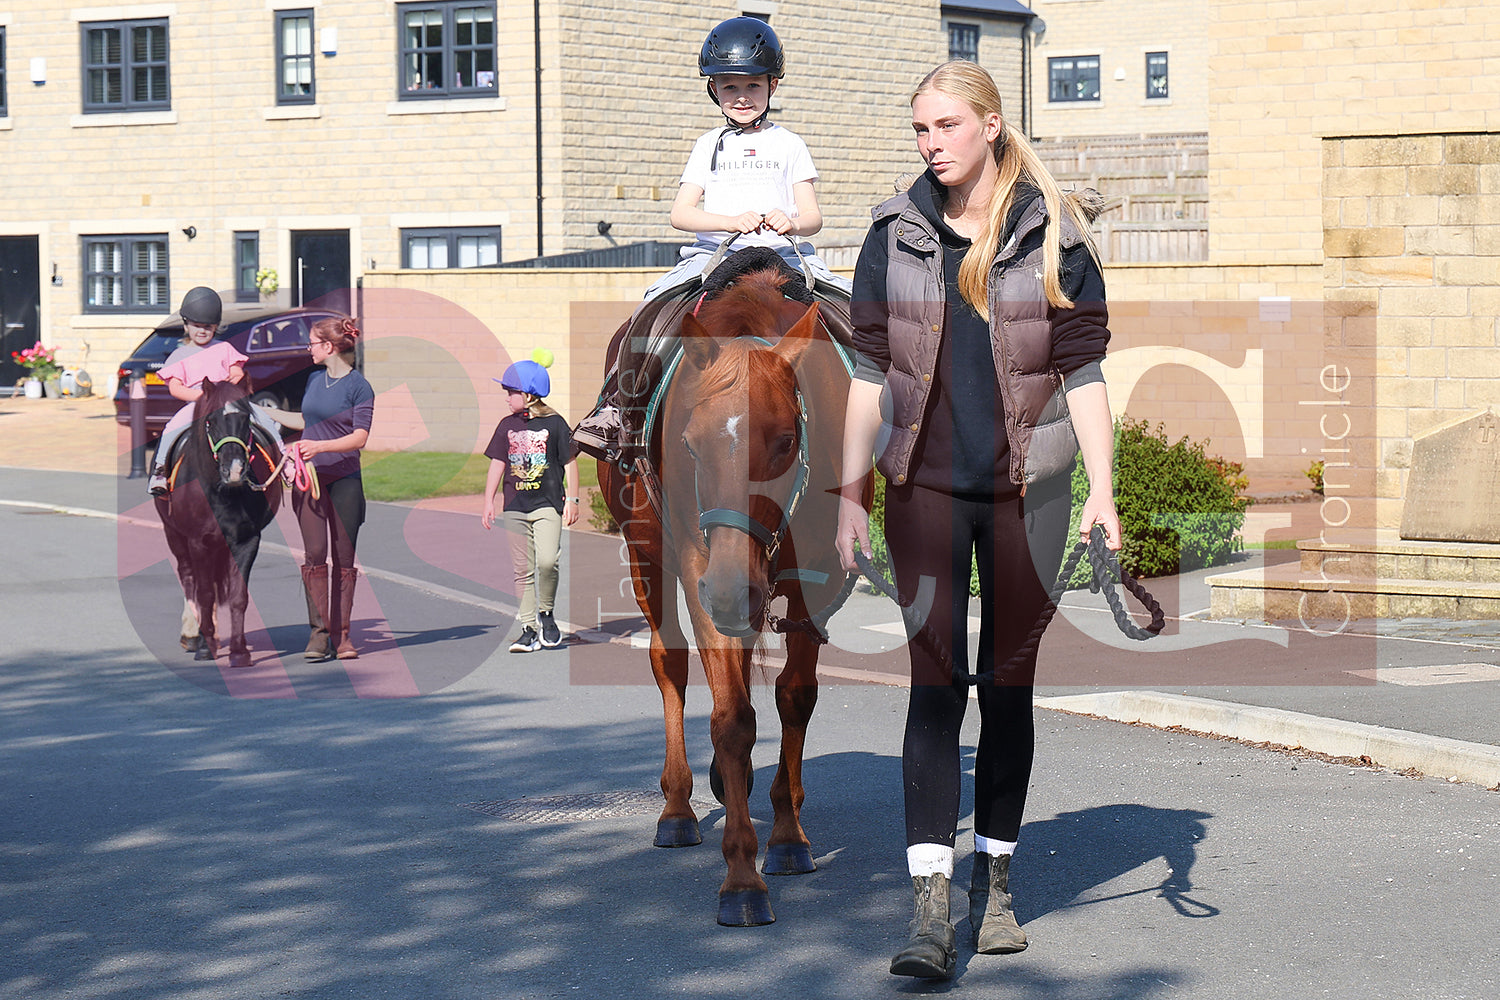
757, 173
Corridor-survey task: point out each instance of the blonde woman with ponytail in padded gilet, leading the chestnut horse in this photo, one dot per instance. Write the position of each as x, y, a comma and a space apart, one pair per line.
980, 310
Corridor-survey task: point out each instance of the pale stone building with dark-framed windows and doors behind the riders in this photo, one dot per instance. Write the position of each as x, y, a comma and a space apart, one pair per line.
149, 148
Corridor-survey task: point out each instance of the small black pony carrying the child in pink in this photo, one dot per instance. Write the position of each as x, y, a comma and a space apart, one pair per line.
215, 513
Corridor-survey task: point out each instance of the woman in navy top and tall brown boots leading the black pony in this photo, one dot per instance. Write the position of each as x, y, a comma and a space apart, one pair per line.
337, 413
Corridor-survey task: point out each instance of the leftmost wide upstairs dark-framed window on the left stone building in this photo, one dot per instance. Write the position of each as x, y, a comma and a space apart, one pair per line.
127, 65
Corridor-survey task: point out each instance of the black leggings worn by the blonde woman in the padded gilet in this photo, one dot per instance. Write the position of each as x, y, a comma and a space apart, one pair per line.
1019, 545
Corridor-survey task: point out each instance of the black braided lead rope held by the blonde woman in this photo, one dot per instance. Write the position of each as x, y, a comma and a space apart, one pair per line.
1105, 570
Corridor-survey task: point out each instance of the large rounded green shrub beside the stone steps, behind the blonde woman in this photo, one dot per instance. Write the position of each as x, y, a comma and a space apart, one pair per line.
1180, 507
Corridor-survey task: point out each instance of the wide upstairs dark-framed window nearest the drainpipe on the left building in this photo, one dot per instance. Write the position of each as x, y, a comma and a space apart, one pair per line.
448, 50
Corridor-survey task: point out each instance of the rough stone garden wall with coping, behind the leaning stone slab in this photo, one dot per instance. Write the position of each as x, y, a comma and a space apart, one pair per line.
1412, 241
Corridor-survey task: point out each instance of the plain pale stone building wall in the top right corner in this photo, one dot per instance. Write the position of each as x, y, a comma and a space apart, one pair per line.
1288, 76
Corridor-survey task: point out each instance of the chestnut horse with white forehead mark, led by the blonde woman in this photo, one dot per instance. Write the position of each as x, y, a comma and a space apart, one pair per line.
746, 439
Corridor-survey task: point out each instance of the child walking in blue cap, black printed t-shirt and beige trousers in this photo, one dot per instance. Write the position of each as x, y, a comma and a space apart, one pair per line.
530, 455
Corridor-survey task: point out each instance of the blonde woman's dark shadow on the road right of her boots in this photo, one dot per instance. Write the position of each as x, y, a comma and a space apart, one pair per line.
1070, 855
